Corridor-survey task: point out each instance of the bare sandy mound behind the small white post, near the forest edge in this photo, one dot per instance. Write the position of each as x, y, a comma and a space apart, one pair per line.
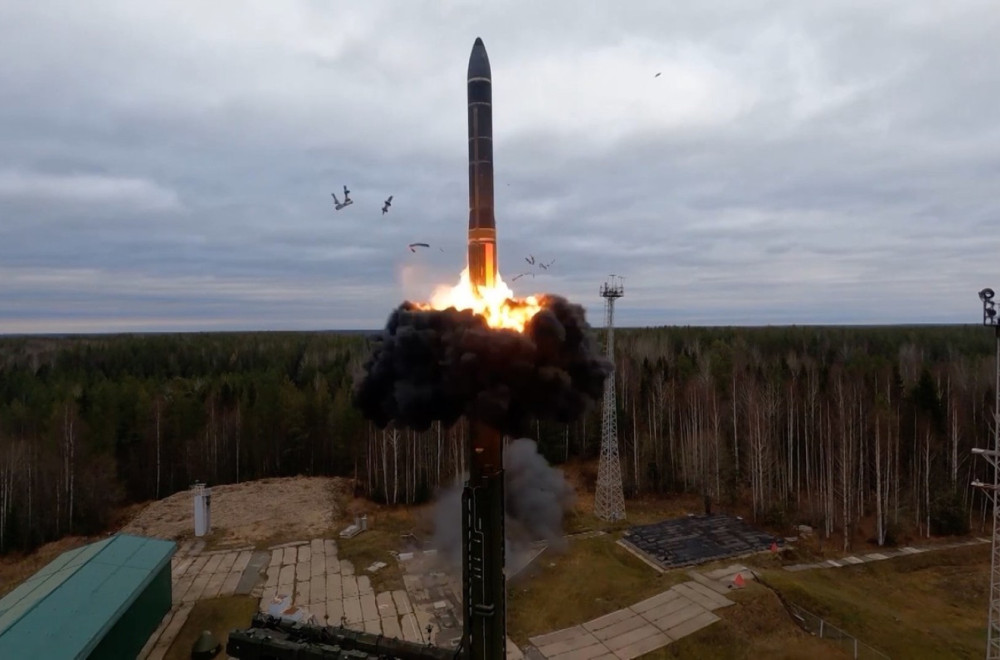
252, 513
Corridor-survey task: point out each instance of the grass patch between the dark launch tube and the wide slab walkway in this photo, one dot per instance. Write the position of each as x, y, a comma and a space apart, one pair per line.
593, 576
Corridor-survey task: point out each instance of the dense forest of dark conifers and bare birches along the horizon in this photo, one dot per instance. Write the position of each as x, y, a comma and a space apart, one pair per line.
823, 425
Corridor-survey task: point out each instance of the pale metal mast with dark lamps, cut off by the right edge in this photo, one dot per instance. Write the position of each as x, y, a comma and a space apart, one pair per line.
993, 457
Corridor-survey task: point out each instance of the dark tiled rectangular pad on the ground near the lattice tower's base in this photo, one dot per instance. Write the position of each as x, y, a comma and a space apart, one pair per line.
697, 539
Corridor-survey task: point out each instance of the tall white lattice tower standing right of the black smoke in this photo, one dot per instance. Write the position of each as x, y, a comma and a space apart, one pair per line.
609, 503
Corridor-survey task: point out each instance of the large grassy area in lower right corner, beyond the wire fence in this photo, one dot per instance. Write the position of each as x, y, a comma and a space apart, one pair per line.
931, 605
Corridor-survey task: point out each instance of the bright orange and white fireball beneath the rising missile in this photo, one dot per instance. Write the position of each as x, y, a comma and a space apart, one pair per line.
496, 304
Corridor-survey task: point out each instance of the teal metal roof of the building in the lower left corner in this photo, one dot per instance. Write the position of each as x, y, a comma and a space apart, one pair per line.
66, 608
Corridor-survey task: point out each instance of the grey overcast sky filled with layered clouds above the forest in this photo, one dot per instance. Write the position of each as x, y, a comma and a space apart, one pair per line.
168, 165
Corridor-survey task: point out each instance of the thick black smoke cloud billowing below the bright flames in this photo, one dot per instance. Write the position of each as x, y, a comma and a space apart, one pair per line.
437, 365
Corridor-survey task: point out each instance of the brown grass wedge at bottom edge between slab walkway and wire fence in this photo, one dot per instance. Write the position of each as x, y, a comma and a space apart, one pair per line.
757, 626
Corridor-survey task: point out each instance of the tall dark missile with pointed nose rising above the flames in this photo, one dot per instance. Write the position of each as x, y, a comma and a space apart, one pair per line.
482, 225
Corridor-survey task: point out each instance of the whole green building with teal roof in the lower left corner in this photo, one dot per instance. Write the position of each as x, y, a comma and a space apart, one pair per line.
100, 601
